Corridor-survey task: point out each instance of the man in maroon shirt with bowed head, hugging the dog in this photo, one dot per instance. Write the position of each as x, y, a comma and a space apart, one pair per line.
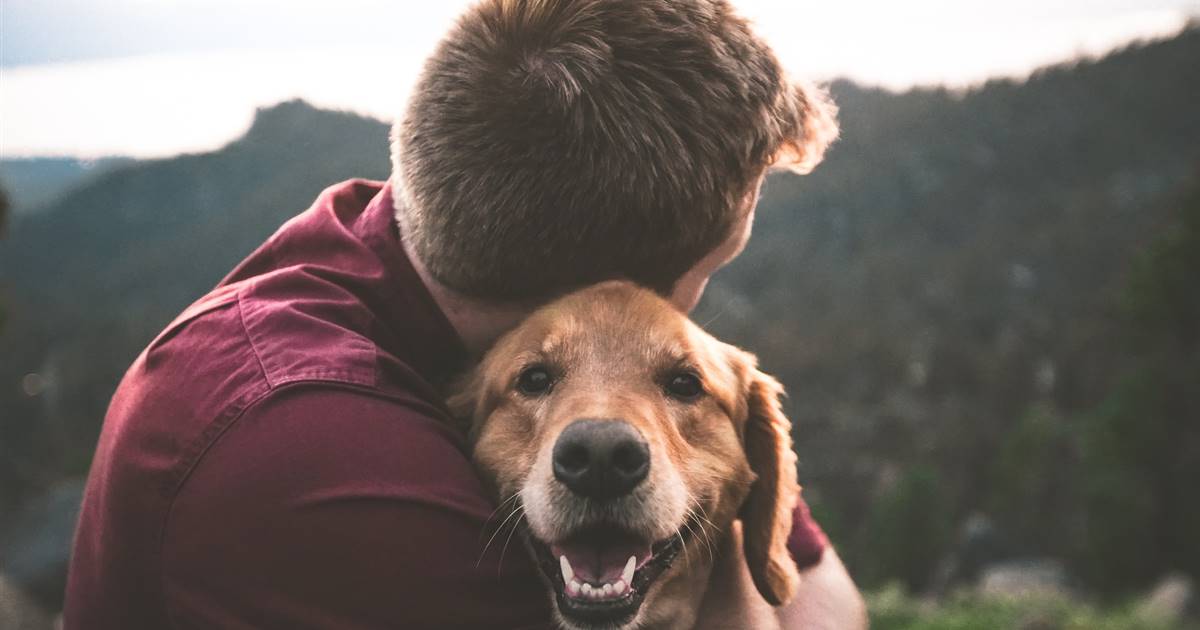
280, 455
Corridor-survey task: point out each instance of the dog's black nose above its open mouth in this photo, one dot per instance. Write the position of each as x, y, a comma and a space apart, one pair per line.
602, 459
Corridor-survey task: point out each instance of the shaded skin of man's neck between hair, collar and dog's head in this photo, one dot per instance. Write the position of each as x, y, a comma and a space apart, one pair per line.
479, 323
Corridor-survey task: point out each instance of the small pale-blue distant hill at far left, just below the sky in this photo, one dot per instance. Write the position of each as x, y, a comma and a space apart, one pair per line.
34, 182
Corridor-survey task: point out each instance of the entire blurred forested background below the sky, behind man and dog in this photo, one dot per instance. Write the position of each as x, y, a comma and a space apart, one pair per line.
985, 305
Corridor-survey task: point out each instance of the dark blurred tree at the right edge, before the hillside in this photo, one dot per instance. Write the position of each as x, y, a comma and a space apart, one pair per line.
1142, 446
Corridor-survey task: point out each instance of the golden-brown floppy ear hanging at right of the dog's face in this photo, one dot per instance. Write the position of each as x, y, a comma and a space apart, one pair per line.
767, 512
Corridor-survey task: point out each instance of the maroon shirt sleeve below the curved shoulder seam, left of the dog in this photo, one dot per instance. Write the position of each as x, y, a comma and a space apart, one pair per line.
328, 508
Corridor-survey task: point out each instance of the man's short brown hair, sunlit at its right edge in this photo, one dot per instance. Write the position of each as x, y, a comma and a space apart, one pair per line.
551, 145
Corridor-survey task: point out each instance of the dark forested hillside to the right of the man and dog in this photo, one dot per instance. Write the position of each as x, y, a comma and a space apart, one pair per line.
949, 281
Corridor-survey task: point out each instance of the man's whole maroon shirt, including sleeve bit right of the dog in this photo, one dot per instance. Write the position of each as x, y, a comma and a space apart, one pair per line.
280, 457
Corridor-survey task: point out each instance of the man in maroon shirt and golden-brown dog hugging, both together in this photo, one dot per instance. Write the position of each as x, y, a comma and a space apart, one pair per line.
471, 397
